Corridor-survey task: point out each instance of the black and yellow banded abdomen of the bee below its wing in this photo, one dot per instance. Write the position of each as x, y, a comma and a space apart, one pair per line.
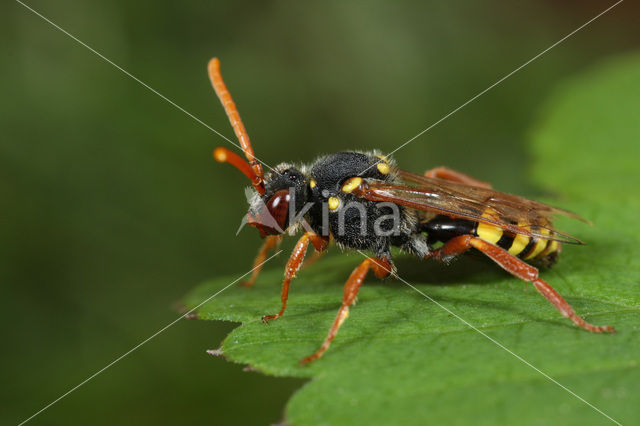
443, 228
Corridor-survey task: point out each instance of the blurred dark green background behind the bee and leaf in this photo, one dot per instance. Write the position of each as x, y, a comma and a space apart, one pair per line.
112, 208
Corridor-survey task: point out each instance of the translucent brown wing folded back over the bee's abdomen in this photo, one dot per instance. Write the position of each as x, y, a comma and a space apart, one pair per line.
508, 212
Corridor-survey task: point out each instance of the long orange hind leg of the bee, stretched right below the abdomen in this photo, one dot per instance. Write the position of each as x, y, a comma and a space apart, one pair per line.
519, 269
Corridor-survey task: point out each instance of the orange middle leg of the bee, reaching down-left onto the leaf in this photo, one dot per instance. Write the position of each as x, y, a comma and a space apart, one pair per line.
382, 268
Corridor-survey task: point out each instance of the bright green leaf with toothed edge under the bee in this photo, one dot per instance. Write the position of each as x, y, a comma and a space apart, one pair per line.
401, 359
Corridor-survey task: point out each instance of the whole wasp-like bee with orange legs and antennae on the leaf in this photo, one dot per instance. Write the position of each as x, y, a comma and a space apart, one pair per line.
363, 201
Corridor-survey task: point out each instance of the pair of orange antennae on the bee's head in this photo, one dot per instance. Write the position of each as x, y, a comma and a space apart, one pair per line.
253, 170
